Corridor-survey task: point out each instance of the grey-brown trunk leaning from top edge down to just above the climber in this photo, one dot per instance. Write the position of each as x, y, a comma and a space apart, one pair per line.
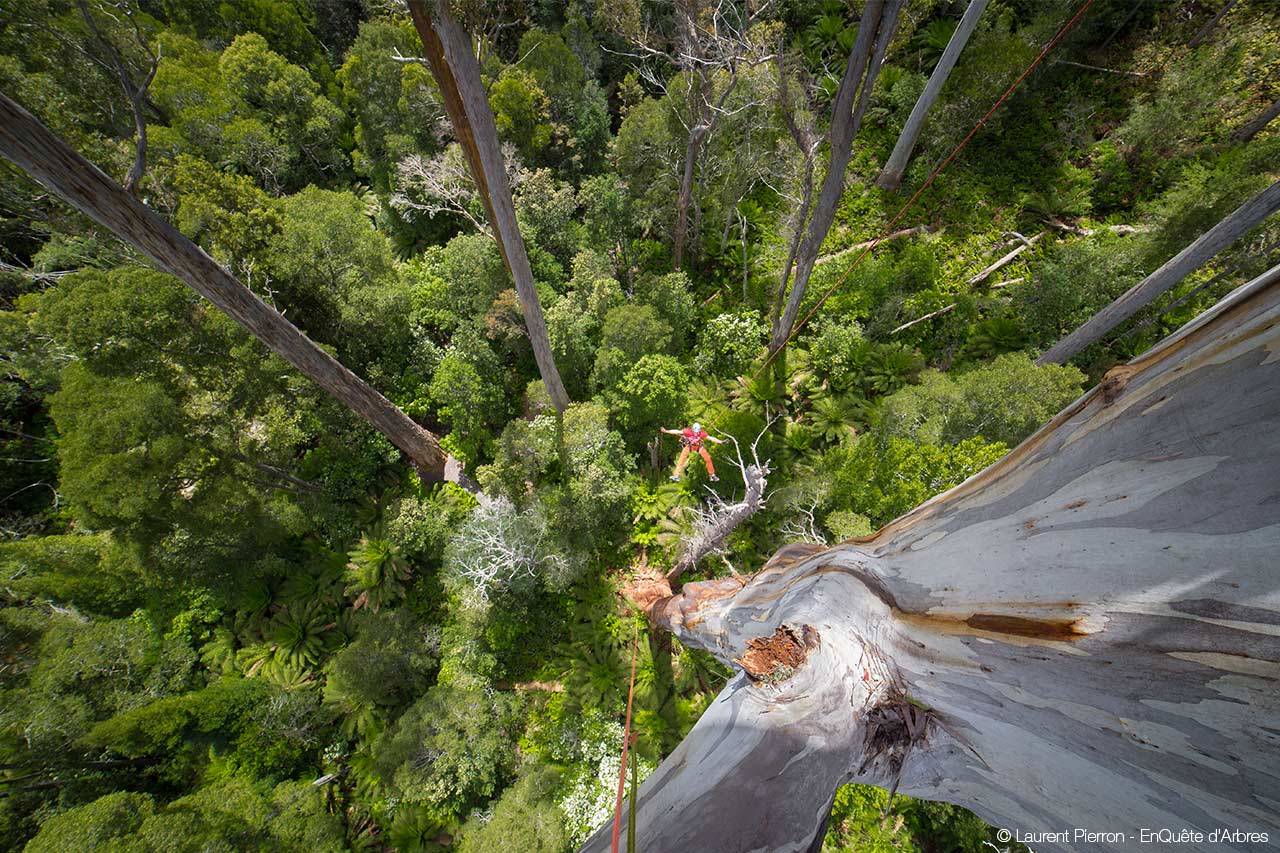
879, 22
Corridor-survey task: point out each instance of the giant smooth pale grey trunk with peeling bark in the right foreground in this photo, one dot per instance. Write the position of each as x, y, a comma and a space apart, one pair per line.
1082, 636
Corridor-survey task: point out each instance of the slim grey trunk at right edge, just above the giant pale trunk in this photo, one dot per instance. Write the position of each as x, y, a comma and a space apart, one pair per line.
1174, 271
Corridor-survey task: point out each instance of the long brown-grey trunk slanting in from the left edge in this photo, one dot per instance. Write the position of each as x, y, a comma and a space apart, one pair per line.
48, 159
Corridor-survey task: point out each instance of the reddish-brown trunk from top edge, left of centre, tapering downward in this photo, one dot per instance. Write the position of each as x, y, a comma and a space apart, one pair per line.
458, 74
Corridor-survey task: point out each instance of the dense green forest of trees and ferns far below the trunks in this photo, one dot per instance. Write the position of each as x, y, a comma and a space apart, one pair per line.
237, 615
